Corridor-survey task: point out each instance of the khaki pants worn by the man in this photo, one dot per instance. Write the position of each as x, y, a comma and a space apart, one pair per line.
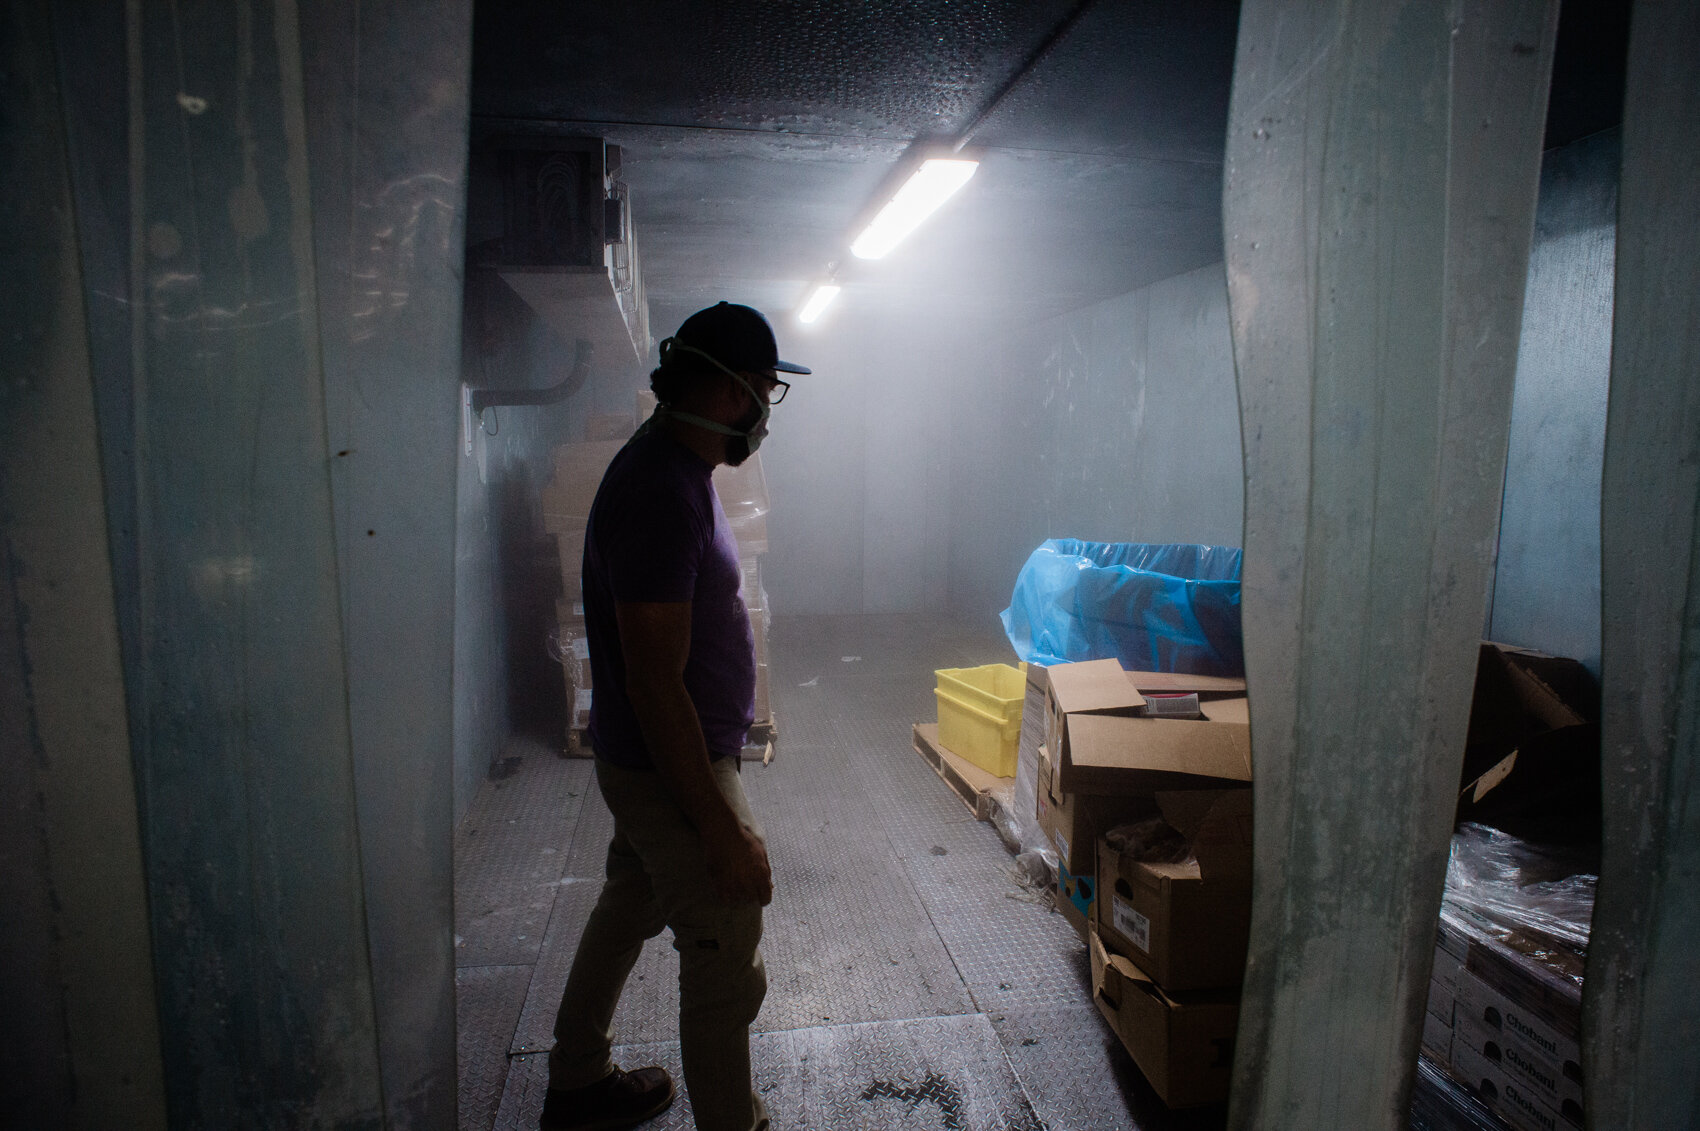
657, 878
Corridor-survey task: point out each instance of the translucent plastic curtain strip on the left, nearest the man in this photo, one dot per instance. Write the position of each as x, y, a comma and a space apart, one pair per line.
387, 96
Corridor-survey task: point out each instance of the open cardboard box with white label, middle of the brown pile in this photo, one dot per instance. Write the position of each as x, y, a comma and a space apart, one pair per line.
1186, 924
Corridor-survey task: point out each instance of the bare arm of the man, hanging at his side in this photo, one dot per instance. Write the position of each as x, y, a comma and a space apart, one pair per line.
657, 644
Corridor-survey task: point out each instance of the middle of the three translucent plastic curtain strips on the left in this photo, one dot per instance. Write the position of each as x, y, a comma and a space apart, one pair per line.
242, 722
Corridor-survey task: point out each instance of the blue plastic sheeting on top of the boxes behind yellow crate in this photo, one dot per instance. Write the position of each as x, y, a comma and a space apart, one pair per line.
1157, 608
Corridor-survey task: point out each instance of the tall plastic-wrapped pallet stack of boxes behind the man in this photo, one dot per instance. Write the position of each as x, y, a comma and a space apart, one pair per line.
575, 477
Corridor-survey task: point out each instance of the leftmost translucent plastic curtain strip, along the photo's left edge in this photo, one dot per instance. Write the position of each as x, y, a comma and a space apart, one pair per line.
81, 1040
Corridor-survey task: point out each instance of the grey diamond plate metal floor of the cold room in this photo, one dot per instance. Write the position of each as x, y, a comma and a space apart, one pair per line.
912, 982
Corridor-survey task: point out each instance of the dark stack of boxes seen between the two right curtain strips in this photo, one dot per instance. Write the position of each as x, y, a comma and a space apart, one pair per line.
1504, 1013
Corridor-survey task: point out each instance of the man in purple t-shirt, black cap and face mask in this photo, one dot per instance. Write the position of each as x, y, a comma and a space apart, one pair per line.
674, 666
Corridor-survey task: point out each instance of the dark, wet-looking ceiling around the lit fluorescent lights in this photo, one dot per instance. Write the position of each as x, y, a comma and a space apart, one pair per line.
756, 135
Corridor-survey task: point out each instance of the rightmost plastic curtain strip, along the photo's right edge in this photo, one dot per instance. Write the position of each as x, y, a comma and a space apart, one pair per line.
1643, 991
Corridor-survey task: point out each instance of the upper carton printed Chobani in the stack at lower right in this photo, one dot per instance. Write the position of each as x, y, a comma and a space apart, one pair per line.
1524, 1047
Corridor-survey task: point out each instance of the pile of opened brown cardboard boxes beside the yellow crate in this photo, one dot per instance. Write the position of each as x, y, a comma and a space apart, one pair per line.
1167, 940
